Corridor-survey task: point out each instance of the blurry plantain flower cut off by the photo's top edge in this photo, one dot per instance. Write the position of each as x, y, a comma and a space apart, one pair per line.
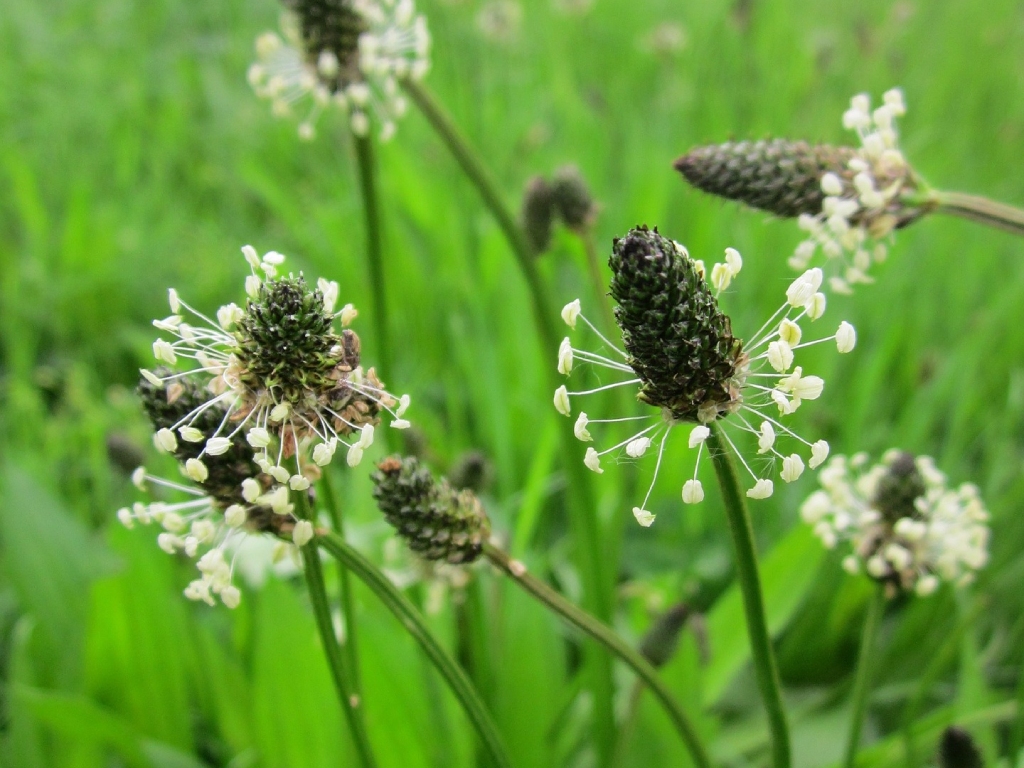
348, 55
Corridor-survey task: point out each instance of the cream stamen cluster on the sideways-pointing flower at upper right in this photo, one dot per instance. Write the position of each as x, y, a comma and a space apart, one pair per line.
856, 211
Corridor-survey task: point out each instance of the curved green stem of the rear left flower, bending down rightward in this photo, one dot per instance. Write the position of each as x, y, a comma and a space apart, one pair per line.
413, 622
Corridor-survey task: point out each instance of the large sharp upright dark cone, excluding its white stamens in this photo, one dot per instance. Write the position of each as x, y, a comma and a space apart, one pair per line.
679, 343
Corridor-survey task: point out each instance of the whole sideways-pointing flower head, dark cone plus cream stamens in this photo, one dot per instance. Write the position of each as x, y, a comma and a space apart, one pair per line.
846, 199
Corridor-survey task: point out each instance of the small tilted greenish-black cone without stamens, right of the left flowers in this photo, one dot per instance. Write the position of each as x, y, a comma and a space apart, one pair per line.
437, 522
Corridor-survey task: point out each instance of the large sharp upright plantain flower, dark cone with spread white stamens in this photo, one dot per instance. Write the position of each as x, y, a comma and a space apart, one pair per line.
684, 358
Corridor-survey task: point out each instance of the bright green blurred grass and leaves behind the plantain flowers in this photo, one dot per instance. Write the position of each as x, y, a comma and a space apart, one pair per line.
135, 157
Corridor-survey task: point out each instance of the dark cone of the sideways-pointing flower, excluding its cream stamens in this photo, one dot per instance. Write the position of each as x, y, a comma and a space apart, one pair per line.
780, 177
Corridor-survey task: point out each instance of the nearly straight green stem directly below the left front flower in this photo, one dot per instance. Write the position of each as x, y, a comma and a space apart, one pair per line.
352, 704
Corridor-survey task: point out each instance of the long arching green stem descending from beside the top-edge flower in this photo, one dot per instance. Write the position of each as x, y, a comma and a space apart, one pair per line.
591, 562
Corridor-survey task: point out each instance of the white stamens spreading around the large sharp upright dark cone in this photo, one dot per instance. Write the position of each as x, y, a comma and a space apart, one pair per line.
769, 358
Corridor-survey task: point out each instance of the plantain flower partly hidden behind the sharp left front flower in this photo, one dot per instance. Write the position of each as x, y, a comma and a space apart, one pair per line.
233, 500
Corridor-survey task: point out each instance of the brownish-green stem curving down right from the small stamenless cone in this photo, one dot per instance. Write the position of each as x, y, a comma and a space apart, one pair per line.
607, 637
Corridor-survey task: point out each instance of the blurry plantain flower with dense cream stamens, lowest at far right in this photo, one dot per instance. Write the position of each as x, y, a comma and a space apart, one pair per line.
908, 529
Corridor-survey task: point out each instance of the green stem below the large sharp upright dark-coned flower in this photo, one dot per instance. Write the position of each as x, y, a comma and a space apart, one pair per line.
754, 607
